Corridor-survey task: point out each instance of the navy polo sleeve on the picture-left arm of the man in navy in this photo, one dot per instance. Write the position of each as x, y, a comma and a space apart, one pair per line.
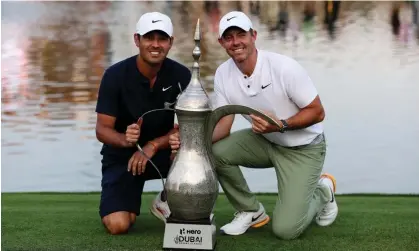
108, 96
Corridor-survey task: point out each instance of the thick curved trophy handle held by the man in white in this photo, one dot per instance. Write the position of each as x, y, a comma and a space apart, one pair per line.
220, 112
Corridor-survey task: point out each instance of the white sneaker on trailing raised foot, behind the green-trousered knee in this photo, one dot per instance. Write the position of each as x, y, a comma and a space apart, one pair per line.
330, 211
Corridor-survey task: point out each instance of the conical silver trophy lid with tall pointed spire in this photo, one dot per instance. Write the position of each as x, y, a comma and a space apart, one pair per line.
194, 97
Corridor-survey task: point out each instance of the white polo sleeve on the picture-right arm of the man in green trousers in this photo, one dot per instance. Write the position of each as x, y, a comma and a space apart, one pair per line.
299, 86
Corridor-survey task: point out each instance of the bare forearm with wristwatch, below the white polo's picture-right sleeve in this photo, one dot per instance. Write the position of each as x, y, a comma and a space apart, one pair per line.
305, 118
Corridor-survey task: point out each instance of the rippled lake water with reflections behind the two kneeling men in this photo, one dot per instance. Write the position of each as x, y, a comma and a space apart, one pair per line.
54, 53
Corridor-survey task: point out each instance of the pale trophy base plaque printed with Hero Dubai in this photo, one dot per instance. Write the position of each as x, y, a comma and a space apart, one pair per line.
191, 235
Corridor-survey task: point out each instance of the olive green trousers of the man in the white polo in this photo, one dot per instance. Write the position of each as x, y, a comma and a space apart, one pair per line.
298, 170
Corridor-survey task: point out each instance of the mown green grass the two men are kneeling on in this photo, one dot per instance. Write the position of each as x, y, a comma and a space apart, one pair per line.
71, 222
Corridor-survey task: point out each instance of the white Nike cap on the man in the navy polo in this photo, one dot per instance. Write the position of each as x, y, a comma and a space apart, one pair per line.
154, 21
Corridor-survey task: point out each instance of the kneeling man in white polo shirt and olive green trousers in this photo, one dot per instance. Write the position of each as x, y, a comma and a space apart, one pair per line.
280, 87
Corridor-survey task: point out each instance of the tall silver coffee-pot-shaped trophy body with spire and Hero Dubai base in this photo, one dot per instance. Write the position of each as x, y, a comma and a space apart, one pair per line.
191, 184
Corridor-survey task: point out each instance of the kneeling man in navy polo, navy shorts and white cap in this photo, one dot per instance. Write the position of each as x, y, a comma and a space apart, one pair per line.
129, 89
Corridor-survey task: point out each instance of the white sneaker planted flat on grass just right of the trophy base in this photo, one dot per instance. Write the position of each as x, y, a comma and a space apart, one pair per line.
245, 220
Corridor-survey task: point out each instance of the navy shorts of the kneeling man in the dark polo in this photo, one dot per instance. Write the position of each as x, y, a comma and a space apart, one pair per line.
122, 191
